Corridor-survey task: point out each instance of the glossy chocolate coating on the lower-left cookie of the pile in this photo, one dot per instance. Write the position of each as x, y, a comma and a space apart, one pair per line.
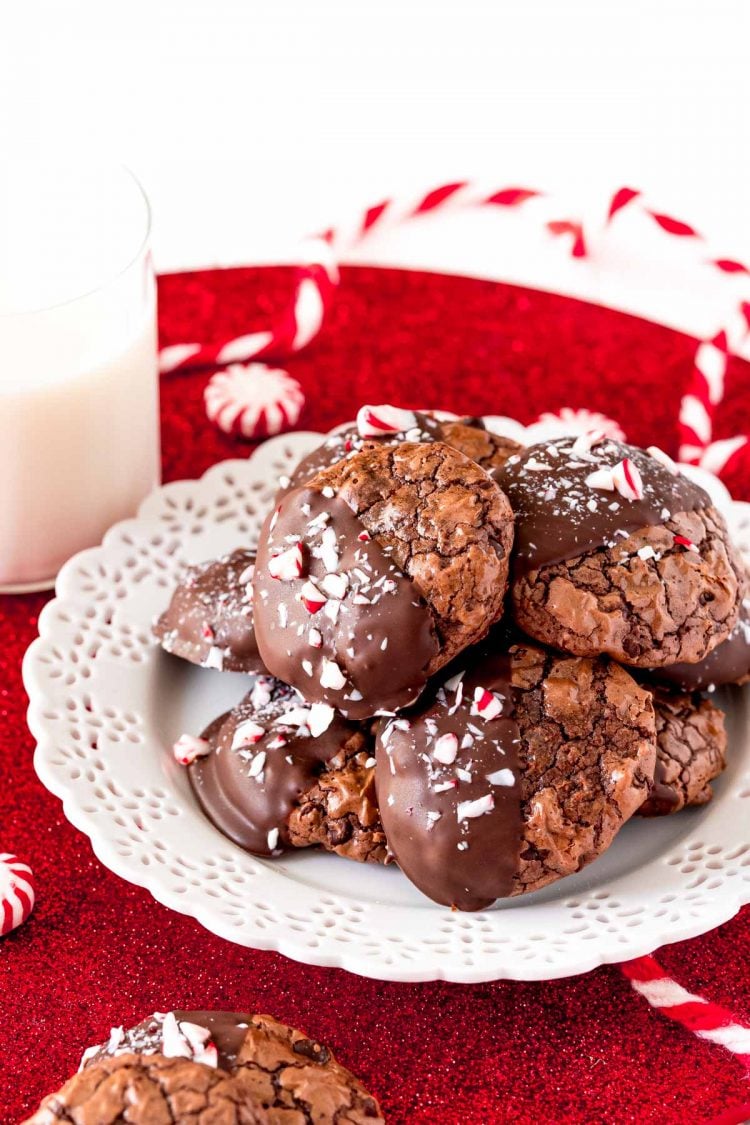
266, 757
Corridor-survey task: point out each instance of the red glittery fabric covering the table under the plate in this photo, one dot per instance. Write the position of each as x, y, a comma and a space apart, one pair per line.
98, 952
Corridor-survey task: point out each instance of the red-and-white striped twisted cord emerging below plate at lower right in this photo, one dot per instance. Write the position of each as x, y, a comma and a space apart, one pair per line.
707, 1020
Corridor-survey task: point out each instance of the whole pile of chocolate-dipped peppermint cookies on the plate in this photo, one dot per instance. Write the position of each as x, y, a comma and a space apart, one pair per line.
469, 658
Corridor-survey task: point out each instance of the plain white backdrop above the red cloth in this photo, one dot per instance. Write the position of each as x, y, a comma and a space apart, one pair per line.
252, 123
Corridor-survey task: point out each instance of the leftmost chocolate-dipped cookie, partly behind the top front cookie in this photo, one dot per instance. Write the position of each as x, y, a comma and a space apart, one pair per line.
210, 620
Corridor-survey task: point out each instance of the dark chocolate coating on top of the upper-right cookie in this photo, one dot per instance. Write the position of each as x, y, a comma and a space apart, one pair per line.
562, 515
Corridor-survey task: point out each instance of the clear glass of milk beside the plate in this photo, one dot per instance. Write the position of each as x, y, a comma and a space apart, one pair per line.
79, 392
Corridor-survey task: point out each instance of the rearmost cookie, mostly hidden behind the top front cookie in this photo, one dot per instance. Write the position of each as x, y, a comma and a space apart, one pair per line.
467, 435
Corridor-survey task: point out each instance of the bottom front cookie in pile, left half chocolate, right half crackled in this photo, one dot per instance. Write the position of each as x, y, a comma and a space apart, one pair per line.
517, 772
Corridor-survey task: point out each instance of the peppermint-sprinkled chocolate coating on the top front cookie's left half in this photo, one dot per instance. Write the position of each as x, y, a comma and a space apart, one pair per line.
338, 653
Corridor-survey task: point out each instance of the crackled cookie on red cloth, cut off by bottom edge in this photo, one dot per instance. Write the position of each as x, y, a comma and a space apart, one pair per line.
209, 1068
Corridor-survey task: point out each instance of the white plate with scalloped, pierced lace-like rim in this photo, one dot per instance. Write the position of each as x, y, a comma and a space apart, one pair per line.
106, 706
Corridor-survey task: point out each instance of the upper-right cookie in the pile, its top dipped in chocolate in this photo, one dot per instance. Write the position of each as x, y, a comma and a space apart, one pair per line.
618, 553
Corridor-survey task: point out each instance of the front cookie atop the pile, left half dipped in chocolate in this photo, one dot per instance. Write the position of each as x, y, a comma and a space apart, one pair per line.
378, 573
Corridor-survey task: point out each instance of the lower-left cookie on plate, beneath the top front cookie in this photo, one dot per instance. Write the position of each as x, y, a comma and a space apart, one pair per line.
277, 772
